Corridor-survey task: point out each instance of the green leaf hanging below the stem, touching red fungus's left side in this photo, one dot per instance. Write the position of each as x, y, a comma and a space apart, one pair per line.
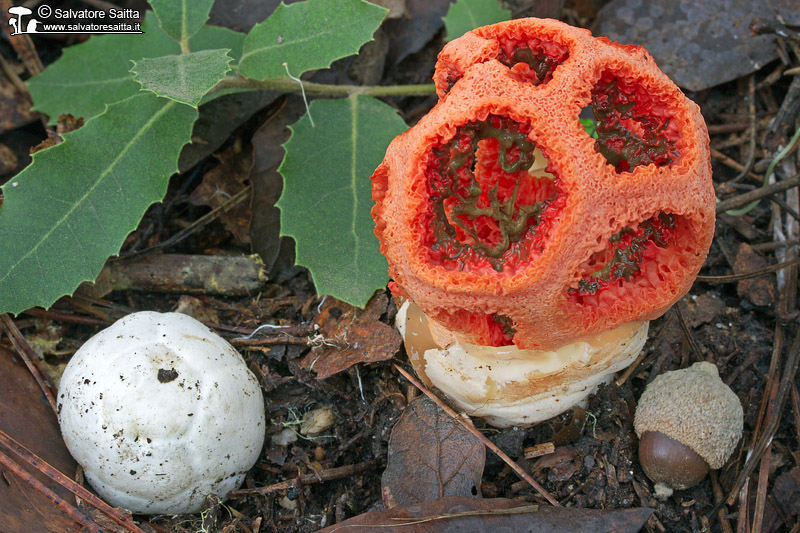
327, 194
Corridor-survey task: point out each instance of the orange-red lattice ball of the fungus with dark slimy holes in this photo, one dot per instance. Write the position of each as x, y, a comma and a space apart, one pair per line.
507, 223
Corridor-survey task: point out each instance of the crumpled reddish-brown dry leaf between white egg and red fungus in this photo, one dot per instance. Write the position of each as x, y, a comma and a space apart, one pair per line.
347, 336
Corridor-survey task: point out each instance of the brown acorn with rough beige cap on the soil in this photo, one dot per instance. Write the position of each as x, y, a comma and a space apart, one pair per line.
687, 421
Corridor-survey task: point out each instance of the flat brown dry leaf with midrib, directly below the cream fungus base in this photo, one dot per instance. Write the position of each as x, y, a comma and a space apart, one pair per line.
430, 456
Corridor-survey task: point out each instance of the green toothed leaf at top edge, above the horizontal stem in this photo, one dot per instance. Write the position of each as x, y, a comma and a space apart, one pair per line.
308, 35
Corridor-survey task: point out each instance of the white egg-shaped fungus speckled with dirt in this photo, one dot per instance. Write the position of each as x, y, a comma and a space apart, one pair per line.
160, 411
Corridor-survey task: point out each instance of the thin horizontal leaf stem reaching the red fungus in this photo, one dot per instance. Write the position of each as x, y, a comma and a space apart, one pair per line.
323, 89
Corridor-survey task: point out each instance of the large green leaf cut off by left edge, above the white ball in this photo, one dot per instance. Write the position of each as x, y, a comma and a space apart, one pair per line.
73, 206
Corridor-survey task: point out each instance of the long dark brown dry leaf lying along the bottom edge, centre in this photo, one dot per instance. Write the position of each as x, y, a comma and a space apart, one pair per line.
458, 514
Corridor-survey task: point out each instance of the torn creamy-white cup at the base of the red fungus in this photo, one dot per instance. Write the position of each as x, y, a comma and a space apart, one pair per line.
512, 387
